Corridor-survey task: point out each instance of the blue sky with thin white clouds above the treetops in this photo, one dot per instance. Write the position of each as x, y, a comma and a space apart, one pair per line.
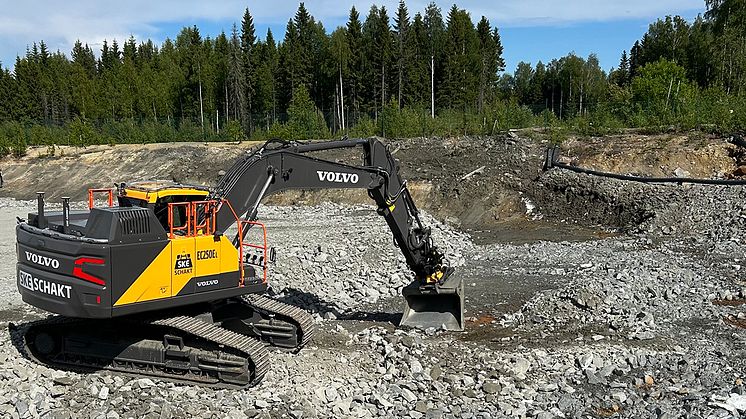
531, 30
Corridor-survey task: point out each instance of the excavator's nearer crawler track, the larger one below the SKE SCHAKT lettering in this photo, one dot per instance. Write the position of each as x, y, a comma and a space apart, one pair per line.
180, 348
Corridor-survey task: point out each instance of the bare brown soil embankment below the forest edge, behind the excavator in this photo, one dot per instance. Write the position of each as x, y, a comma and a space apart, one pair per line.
474, 183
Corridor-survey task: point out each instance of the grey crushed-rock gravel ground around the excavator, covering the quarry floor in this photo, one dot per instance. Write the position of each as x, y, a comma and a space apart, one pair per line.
636, 324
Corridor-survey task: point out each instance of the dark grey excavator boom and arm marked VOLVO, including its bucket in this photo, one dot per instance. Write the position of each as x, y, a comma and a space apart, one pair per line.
435, 297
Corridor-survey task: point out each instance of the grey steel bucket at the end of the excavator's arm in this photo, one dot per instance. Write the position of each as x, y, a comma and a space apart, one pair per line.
438, 305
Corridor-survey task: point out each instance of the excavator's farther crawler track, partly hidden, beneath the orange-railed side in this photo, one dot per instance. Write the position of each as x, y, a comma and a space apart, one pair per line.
269, 307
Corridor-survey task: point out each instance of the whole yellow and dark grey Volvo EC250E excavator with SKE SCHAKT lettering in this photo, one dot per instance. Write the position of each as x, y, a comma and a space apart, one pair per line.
169, 280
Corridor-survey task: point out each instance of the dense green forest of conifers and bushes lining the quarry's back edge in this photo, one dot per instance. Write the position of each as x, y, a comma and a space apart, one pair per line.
377, 74
